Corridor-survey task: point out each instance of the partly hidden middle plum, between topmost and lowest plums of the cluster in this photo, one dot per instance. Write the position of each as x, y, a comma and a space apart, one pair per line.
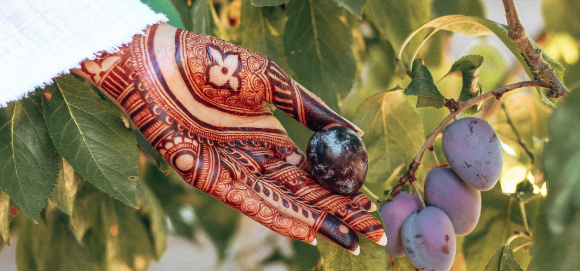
461, 202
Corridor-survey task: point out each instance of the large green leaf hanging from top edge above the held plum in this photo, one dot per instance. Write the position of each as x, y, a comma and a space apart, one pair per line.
317, 44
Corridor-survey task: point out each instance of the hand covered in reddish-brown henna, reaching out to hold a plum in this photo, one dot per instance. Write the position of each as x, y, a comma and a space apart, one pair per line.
199, 101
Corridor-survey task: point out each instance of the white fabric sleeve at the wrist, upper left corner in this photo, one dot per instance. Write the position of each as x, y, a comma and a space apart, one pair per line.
41, 39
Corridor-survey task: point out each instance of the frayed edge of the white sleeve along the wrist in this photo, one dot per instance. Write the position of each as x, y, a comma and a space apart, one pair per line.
160, 18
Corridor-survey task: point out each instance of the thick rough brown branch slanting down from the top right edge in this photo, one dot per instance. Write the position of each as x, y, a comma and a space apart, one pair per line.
517, 34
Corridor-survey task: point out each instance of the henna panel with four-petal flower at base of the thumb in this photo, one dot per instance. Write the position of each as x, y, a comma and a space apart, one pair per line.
222, 75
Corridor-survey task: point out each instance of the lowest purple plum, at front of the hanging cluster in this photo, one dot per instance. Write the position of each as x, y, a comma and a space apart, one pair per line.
429, 239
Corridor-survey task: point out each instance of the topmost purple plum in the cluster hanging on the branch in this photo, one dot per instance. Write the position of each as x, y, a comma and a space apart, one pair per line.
473, 150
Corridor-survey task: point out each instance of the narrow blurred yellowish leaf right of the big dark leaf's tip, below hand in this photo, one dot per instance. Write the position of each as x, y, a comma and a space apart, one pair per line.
151, 210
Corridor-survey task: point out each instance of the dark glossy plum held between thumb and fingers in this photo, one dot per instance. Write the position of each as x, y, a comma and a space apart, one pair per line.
338, 160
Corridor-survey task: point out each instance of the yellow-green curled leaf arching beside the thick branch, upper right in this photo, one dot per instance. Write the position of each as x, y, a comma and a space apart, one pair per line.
475, 26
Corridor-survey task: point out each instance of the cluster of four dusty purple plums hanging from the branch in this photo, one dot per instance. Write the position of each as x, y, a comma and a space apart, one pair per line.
452, 196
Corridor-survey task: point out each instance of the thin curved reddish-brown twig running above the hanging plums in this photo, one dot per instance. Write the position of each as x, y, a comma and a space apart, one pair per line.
498, 93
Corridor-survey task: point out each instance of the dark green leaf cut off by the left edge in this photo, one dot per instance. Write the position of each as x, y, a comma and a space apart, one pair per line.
29, 160
